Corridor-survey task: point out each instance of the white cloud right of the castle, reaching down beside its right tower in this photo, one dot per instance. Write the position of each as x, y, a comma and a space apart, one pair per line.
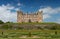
47, 11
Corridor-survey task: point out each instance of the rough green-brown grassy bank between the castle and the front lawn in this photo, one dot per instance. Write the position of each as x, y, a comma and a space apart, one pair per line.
44, 25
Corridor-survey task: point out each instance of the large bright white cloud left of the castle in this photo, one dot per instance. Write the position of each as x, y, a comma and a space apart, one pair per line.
6, 14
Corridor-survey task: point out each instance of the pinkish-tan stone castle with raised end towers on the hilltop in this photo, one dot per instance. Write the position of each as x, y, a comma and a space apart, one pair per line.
32, 17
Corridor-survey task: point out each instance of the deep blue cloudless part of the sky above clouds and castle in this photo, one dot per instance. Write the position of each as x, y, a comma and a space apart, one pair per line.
31, 5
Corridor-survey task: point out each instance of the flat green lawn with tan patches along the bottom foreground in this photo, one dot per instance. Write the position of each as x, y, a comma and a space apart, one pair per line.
24, 34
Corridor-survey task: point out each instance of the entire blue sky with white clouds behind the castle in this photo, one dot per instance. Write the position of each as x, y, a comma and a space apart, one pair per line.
50, 8
